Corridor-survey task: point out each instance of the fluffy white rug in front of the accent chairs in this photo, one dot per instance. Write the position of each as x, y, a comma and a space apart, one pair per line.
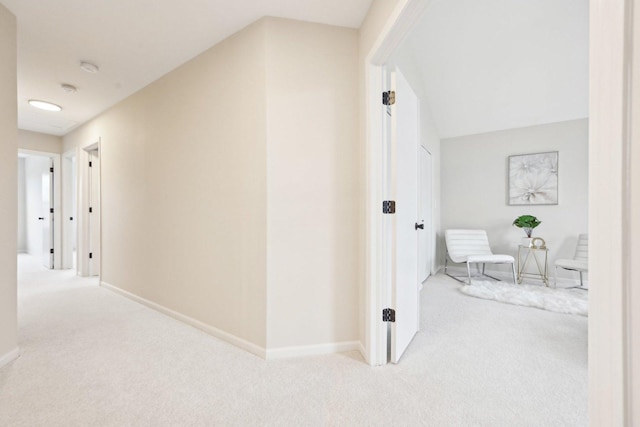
570, 301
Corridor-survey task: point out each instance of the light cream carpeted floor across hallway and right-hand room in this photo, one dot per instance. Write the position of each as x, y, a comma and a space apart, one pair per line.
91, 357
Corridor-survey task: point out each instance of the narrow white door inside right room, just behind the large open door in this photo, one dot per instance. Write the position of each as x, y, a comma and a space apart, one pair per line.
425, 236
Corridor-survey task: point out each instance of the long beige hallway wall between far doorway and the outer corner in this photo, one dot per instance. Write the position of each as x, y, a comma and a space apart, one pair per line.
183, 181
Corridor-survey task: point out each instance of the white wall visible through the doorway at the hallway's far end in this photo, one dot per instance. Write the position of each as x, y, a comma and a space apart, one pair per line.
35, 167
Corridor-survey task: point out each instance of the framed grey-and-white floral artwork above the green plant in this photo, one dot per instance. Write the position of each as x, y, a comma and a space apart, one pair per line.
533, 179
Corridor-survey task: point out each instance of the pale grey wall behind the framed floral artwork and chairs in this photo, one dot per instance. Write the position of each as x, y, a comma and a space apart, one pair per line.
474, 183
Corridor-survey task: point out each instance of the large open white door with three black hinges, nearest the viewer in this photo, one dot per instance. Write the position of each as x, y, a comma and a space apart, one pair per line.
405, 183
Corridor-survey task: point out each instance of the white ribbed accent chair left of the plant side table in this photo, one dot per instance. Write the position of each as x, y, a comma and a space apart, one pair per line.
472, 247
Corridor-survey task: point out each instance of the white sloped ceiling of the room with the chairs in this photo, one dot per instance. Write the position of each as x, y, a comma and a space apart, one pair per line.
494, 64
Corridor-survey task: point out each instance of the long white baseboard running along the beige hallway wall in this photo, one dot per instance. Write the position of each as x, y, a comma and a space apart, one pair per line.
225, 336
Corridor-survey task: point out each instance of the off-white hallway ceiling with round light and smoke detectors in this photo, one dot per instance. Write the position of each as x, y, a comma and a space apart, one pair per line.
134, 42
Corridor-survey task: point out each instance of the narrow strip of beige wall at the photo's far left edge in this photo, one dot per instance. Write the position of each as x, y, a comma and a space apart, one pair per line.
8, 186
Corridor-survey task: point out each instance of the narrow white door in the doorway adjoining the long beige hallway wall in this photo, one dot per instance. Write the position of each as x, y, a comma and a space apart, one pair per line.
94, 213
